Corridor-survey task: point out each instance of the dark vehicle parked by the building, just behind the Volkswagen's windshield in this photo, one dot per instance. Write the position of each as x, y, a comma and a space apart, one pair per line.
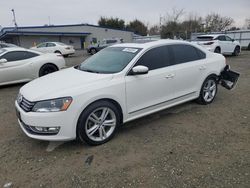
92, 49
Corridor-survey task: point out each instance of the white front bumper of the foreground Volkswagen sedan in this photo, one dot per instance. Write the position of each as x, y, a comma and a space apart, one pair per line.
54, 119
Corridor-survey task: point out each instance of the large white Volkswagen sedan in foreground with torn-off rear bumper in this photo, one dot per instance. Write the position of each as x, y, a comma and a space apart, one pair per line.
119, 84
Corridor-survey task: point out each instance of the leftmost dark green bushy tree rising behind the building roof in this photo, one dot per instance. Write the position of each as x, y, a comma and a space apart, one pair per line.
115, 23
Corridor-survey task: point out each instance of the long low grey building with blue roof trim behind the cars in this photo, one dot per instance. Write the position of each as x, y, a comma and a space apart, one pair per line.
78, 35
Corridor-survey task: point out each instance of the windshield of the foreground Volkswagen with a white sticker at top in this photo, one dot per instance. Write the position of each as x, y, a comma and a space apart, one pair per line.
109, 60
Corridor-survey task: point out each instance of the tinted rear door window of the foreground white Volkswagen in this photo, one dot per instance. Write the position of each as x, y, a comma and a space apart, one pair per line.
185, 53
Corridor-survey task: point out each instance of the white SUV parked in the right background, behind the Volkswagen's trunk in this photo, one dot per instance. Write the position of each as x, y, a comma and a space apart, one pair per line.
219, 44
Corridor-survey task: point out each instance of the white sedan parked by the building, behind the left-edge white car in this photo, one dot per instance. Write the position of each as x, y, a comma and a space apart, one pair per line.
55, 47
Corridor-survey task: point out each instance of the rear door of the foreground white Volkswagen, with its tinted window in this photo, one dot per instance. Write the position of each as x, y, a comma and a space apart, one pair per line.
190, 69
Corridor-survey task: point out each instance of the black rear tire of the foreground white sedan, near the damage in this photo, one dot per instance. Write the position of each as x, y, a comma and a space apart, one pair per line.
202, 96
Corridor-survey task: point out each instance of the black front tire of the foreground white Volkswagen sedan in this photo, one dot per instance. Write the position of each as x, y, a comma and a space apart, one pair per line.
84, 122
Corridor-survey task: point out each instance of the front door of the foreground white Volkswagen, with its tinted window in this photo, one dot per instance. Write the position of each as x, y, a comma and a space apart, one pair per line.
147, 91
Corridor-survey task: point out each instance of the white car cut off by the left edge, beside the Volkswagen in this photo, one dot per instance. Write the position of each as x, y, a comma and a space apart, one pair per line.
22, 65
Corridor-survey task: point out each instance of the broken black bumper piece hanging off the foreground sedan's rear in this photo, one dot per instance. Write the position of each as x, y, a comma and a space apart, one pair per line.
228, 78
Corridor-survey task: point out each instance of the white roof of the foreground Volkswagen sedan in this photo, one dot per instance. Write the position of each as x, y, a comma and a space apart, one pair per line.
152, 43
